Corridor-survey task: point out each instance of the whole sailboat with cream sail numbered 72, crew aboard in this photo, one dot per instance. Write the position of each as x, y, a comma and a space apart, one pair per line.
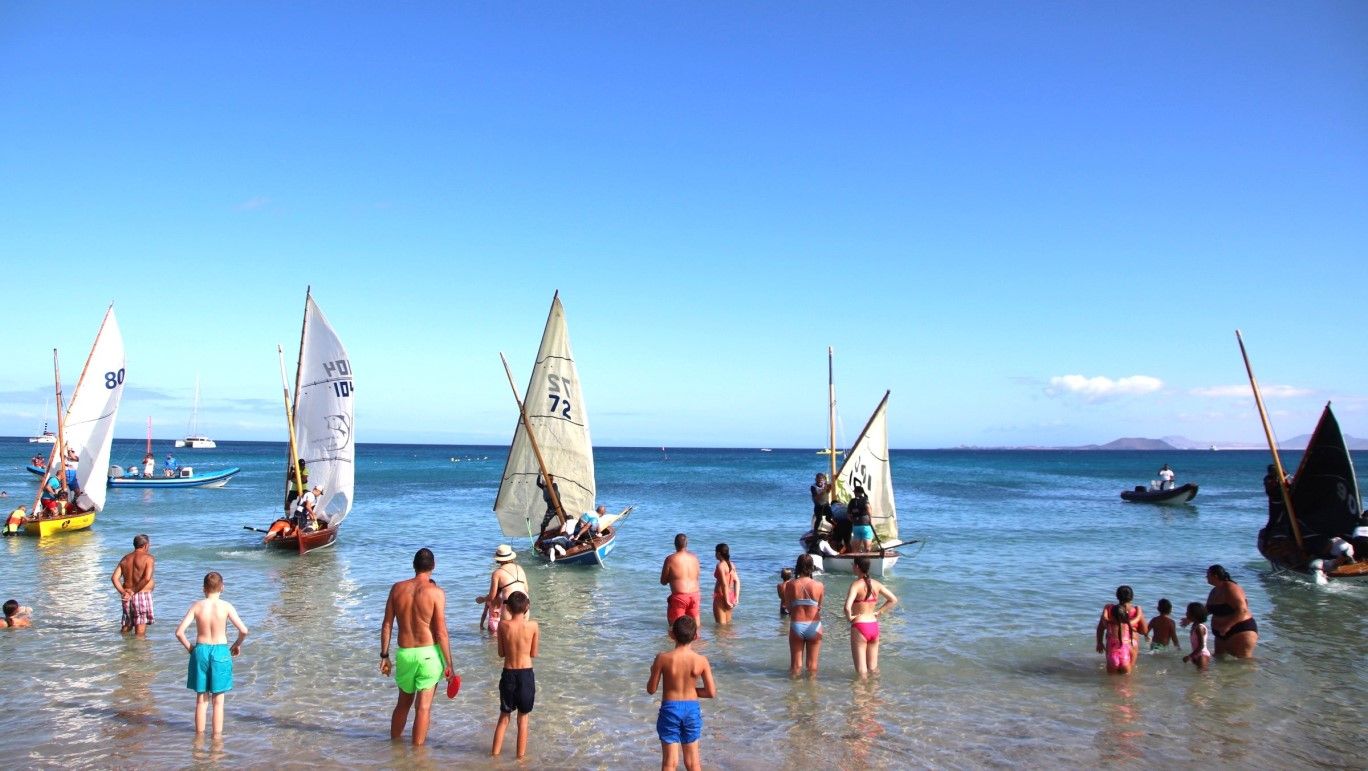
553, 439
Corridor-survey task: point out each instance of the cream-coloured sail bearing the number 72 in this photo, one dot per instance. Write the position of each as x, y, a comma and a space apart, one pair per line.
555, 405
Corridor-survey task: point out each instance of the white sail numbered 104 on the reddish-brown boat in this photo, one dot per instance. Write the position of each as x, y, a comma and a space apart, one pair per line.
324, 412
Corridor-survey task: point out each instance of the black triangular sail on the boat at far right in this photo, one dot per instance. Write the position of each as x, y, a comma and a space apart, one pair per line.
1325, 490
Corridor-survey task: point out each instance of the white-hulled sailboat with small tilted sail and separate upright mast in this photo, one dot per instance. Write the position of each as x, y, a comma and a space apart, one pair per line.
868, 465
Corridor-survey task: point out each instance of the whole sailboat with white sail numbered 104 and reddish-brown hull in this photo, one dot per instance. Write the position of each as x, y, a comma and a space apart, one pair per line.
319, 420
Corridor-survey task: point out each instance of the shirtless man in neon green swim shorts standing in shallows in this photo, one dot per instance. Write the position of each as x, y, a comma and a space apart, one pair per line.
425, 655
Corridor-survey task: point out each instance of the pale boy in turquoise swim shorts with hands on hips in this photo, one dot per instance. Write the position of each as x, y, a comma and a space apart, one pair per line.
210, 673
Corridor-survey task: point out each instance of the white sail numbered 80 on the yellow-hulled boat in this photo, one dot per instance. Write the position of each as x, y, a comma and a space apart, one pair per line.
94, 408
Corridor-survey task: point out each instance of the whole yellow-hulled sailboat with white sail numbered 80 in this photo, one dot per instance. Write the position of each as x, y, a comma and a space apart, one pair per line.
87, 430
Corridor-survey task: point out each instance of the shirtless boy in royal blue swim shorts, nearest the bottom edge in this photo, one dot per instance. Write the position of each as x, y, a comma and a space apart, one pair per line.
681, 721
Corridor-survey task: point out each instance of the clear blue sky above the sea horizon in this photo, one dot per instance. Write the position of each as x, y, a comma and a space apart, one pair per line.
1035, 224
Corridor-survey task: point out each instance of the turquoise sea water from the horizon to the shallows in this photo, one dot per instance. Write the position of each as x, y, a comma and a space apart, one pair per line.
990, 660
